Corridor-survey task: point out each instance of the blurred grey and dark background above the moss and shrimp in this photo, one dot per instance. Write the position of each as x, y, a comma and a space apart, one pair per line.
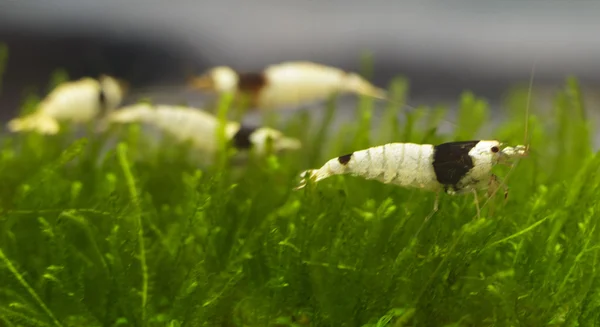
442, 47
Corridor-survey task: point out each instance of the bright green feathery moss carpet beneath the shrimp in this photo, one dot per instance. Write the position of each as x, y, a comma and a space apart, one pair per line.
147, 238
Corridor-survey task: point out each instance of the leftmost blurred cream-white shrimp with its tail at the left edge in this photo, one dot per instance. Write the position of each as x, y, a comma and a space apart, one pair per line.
77, 102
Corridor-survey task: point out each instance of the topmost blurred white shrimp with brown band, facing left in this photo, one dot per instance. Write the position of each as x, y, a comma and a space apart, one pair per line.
287, 84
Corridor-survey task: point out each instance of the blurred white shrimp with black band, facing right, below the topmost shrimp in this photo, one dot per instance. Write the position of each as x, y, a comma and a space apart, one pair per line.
200, 127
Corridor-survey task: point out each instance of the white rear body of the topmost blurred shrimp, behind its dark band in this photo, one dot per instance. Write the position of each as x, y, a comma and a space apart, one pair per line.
296, 83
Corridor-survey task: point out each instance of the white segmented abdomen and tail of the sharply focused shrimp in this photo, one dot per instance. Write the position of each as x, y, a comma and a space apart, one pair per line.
404, 164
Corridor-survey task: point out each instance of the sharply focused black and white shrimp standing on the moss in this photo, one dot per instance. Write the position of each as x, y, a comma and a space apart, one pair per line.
454, 167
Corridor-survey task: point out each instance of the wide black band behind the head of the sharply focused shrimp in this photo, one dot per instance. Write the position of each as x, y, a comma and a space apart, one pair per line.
451, 162
